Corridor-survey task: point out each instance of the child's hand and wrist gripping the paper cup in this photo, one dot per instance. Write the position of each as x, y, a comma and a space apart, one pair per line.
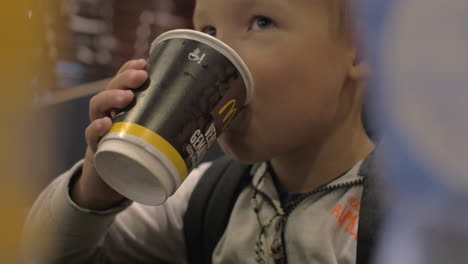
89, 190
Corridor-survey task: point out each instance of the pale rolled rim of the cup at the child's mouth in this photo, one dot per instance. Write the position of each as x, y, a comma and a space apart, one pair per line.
219, 46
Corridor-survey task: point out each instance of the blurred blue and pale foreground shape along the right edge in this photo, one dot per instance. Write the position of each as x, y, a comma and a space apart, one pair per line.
418, 51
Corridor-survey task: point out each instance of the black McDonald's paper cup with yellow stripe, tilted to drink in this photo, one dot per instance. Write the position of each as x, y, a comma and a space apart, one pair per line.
196, 86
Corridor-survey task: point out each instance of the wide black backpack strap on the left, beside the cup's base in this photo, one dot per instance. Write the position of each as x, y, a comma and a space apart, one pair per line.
210, 207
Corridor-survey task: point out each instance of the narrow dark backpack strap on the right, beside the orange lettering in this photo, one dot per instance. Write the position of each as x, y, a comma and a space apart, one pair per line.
370, 215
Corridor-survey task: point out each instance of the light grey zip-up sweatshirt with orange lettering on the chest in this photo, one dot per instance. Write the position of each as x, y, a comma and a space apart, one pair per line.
318, 227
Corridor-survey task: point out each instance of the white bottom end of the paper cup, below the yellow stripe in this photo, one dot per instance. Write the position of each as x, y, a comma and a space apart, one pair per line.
133, 172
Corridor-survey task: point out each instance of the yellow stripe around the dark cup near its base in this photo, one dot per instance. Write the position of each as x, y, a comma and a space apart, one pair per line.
157, 141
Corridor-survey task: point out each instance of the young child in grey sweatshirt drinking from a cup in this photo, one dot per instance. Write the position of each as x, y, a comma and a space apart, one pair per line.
302, 129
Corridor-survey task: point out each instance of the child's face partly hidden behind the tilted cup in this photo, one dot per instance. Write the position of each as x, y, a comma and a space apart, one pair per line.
299, 66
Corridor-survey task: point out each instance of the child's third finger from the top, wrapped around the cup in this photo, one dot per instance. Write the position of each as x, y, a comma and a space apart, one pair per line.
104, 102
